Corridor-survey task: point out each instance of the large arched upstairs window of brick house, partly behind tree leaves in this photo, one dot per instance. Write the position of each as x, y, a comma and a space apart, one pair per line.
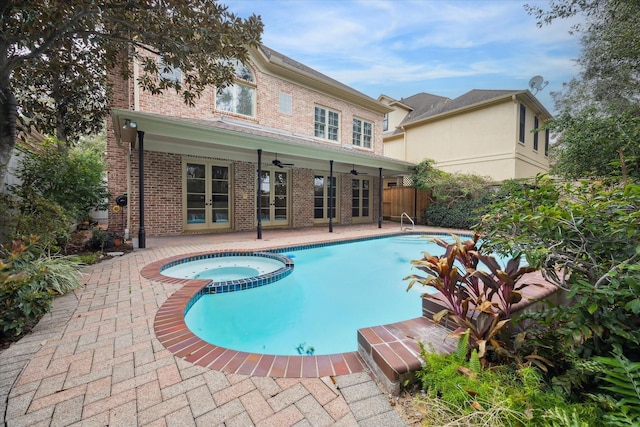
239, 97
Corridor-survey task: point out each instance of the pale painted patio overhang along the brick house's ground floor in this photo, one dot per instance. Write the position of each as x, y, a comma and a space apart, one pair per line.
240, 140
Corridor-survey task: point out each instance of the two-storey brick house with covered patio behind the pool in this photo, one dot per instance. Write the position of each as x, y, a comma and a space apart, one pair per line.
281, 124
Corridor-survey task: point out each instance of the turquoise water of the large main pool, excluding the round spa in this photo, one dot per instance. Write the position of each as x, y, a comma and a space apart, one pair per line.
331, 293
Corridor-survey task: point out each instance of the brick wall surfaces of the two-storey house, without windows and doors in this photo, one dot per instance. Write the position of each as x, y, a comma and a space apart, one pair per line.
163, 171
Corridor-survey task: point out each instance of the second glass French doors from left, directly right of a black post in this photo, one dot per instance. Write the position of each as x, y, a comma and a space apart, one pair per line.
274, 206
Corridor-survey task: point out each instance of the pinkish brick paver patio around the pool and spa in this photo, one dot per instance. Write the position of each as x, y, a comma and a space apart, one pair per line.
95, 359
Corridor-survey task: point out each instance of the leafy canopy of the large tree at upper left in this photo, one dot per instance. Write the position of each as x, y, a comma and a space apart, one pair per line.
54, 57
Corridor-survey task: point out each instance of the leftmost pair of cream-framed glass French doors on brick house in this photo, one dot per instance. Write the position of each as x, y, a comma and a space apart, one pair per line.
206, 196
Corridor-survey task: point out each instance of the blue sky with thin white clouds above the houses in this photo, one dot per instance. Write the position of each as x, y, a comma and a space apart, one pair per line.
403, 47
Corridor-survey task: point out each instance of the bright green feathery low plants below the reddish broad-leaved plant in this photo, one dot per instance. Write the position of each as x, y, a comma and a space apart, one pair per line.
457, 392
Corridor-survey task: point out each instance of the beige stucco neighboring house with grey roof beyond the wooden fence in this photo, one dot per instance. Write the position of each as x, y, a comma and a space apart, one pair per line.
484, 132
